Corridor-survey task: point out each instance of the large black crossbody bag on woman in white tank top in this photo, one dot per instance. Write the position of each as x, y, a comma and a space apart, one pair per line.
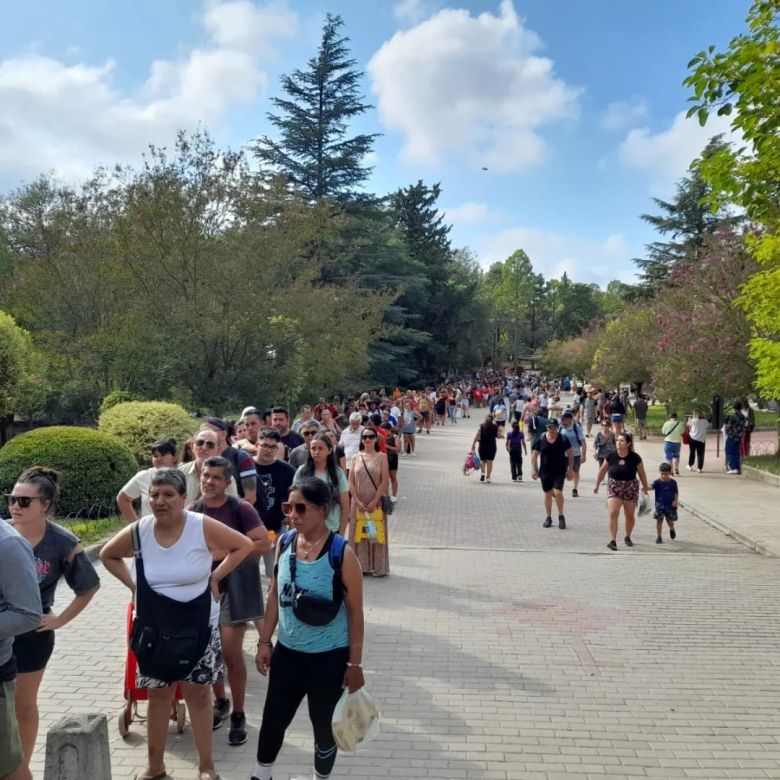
169, 637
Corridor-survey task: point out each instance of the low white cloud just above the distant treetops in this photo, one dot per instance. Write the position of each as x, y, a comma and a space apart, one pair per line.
552, 254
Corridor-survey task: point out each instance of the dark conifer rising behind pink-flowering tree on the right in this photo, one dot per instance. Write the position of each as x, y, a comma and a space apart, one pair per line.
686, 220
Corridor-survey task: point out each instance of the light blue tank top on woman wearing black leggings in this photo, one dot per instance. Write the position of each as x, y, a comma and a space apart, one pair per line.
316, 577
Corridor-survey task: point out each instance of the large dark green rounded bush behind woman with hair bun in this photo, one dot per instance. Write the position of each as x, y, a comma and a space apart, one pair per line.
92, 464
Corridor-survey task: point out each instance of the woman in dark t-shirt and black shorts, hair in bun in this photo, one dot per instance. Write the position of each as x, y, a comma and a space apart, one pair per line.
58, 554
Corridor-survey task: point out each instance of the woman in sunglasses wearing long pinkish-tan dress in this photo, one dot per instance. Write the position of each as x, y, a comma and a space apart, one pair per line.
368, 479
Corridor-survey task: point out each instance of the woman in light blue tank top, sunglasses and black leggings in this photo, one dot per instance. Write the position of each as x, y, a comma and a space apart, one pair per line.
313, 661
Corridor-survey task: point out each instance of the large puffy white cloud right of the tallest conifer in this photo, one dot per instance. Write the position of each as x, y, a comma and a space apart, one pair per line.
463, 85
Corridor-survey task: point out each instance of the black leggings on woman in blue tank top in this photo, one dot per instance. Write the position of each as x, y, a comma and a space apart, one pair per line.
293, 675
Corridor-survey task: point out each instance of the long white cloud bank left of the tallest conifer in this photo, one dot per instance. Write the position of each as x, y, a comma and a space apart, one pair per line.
72, 117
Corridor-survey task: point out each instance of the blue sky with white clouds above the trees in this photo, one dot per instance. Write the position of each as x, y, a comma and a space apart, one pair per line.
576, 107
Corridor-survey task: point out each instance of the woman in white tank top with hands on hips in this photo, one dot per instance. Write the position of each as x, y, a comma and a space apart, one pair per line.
174, 578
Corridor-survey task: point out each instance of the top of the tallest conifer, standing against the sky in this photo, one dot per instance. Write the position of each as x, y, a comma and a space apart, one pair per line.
313, 151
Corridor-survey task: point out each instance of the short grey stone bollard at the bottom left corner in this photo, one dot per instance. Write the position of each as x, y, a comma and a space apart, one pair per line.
77, 748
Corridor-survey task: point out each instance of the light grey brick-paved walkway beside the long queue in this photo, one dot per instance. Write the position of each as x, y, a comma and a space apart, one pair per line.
499, 650
